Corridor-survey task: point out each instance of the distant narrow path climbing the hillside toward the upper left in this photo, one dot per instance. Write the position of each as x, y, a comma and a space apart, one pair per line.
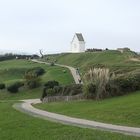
73, 71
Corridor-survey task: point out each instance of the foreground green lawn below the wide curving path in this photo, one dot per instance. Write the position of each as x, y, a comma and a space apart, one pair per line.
15, 125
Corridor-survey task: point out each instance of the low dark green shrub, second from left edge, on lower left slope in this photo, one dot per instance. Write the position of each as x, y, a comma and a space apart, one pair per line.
15, 87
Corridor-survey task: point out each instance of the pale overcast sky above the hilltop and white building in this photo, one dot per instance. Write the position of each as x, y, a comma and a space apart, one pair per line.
30, 25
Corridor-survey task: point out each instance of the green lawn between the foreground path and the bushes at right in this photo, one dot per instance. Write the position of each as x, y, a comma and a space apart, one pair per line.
124, 110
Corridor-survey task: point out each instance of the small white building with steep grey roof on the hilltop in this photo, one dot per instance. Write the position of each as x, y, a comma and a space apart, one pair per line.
78, 43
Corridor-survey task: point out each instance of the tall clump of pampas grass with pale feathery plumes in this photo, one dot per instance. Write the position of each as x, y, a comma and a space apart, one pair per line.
95, 81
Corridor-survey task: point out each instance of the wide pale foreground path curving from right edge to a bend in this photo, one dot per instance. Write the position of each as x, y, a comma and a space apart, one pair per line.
26, 107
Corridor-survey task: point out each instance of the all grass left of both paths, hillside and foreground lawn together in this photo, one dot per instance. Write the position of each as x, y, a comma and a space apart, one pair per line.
15, 125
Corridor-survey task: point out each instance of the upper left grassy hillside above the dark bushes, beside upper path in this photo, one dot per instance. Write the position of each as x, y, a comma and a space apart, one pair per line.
13, 70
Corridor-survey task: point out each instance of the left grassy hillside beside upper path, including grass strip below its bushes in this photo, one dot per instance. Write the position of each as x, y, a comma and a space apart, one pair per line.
14, 70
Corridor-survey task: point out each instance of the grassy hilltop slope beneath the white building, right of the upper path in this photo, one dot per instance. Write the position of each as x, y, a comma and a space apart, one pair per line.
115, 60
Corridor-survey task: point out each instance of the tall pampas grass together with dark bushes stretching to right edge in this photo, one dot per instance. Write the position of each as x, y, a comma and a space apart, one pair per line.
99, 87
